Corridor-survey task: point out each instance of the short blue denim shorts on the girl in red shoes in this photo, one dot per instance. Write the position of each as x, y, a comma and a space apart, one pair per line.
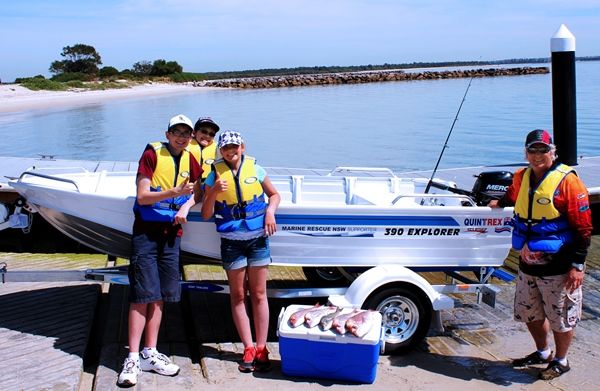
237, 254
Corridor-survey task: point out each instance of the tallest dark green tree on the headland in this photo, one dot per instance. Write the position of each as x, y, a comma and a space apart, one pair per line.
79, 58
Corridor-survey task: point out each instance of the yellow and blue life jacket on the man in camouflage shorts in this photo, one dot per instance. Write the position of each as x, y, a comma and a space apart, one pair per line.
537, 222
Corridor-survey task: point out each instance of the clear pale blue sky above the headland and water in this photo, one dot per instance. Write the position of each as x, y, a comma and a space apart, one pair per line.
236, 34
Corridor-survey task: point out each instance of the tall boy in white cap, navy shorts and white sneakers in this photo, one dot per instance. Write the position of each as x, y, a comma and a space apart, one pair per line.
165, 181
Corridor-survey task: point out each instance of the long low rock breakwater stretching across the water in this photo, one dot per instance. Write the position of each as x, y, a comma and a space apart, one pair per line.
365, 77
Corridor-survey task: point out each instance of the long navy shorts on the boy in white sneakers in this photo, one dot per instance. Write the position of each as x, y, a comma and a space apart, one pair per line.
154, 268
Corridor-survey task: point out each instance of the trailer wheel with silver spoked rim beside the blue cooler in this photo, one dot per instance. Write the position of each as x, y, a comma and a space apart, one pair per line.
406, 317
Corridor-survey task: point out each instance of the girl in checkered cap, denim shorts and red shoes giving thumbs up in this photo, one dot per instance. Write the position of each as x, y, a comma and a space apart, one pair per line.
234, 195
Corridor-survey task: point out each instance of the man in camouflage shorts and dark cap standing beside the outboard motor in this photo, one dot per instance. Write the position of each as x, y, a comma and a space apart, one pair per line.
552, 230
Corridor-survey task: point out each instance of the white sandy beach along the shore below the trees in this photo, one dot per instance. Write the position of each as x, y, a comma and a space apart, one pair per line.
15, 98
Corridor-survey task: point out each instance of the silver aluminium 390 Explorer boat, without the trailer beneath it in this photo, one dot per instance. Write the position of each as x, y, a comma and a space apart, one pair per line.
350, 217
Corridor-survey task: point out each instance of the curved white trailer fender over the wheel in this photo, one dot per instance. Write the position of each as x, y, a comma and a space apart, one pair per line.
376, 277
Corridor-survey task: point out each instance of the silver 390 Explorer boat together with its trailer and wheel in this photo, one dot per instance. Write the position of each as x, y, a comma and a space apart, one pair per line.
369, 226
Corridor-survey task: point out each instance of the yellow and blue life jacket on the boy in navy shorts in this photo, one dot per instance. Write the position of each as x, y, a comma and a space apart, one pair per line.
166, 176
